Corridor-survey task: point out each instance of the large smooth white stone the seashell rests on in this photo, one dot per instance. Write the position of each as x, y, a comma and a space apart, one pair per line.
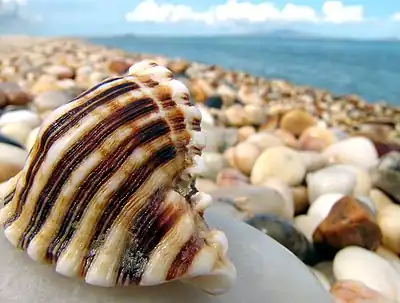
267, 272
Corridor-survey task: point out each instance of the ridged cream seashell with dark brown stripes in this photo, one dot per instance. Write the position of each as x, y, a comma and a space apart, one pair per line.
107, 192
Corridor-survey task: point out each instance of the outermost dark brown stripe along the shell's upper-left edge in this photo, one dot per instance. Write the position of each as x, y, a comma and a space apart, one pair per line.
57, 129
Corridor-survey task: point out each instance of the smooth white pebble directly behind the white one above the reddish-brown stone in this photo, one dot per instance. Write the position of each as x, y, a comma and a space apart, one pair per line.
359, 151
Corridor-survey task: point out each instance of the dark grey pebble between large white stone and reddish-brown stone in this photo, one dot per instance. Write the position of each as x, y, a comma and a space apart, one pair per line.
283, 232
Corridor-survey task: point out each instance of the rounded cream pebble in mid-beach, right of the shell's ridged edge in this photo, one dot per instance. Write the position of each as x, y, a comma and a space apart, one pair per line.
279, 162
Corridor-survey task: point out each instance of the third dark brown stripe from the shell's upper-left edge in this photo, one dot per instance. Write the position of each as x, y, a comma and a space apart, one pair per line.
99, 177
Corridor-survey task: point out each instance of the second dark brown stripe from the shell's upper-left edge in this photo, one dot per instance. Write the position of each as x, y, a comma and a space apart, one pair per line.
74, 157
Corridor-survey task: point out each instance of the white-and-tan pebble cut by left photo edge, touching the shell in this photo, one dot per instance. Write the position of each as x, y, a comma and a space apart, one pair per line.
12, 160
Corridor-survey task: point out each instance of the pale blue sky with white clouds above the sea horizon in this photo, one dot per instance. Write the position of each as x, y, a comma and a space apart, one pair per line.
346, 18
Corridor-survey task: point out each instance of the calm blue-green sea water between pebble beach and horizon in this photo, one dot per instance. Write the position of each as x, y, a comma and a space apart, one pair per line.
370, 69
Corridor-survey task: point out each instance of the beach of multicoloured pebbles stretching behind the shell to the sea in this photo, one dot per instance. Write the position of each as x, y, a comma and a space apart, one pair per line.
317, 172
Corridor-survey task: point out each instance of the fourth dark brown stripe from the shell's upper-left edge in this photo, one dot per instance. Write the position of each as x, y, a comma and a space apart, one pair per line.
119, 199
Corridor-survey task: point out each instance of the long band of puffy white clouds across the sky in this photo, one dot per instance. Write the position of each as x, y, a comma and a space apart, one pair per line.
235, 10
